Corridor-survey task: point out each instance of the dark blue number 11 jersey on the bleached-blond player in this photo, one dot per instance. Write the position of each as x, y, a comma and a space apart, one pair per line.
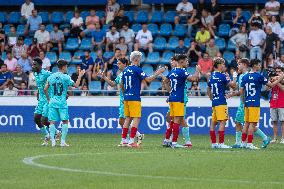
132, 77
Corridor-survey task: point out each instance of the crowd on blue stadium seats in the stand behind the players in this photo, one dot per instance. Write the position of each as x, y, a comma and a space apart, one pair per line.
94, 41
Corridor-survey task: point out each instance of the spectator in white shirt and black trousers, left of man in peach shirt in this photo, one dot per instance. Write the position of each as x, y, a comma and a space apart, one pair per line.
76, 25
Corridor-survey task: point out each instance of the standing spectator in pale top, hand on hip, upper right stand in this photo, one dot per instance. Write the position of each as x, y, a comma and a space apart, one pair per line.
241, 42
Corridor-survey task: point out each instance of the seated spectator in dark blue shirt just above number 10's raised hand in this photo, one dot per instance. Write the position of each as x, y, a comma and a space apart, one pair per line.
86, 64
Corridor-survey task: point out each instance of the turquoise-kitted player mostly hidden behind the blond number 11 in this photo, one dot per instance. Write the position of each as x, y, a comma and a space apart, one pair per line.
122, 64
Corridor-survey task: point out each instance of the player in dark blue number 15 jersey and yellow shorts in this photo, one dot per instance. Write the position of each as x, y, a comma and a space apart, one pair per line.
251, 86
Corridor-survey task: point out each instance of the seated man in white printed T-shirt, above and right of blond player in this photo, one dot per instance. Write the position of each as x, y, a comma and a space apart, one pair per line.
144, 39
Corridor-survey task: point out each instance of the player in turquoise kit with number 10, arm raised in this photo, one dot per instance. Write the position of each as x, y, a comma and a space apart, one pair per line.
56, 93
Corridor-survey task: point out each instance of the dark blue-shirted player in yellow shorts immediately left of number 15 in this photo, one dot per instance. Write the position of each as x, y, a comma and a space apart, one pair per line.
218, 82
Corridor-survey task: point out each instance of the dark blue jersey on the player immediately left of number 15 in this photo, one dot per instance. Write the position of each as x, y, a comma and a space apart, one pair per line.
218, 83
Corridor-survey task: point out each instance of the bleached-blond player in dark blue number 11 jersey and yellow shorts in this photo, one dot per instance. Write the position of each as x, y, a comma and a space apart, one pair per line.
132, 76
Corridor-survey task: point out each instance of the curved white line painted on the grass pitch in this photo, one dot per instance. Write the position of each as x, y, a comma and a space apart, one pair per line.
31, 161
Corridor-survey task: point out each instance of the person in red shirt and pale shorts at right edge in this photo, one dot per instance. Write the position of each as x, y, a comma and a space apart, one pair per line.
277, 107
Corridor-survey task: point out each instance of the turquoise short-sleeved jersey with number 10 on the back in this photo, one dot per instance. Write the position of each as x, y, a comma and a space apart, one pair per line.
58, 87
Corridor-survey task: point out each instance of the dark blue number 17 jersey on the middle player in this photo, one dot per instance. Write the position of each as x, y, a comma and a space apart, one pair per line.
177, 77
